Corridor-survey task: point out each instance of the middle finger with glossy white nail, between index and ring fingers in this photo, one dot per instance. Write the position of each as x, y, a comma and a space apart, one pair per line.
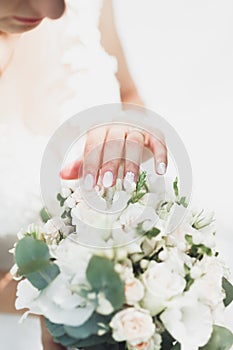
112, 154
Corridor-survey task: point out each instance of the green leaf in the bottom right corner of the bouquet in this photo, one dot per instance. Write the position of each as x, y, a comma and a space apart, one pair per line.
221, 339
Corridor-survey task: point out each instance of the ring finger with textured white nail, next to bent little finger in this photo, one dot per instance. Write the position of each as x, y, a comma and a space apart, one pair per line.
134, 144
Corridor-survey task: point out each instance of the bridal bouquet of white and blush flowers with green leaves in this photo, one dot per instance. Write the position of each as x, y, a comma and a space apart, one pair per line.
115, 279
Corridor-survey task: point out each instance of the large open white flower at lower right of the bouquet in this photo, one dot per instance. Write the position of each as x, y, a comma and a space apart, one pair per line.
188, 321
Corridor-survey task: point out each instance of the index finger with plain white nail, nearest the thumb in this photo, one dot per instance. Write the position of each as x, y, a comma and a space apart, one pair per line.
93, 156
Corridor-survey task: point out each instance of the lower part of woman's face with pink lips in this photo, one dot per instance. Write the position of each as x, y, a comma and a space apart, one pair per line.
18, 16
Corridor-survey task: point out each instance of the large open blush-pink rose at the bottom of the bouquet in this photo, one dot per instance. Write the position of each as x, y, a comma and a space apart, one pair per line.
132, 325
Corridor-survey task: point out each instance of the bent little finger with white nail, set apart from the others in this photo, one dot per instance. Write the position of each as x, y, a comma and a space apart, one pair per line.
159, 150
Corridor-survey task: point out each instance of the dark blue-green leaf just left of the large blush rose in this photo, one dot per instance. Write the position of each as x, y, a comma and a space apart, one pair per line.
90, 327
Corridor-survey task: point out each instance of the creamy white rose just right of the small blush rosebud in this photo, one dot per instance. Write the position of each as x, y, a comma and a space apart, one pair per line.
161, 284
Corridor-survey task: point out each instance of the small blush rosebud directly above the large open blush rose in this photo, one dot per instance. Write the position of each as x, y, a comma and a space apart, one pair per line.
134, 291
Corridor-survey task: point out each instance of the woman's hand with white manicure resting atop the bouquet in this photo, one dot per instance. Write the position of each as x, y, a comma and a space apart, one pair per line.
107, 148
